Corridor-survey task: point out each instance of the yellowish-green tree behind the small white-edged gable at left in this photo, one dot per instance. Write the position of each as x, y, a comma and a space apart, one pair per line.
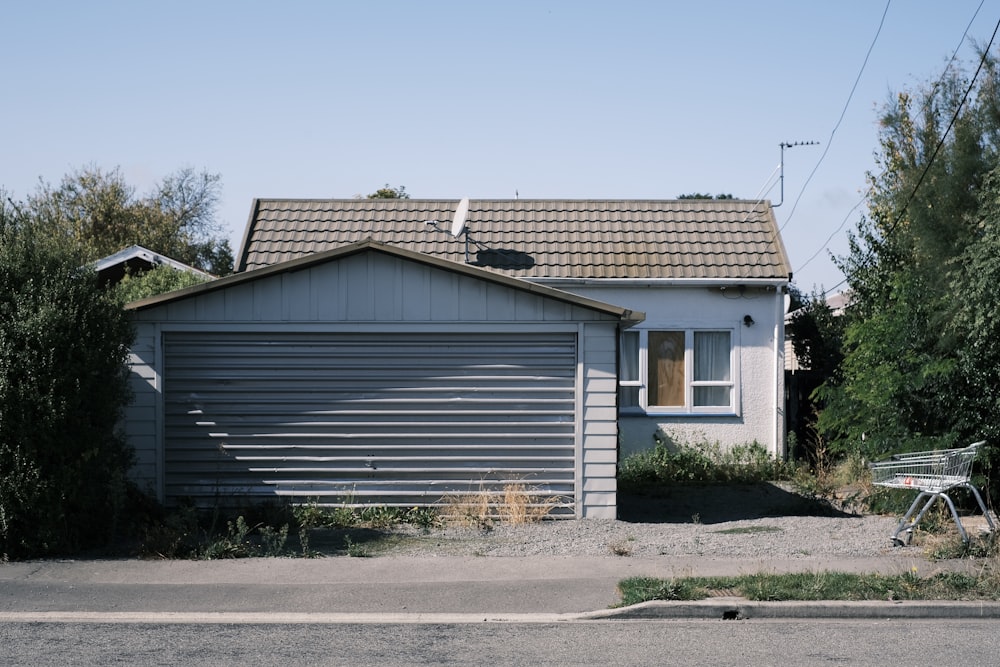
101, 212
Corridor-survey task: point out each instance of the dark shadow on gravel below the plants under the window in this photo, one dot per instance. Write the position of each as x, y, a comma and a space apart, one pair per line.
719, 503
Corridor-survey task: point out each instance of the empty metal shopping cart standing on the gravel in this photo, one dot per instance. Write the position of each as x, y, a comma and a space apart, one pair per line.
934, 474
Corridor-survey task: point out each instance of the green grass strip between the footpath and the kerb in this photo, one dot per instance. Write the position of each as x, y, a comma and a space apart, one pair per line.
815, 586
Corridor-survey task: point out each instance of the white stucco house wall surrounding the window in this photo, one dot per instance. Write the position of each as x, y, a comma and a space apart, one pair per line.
760, 412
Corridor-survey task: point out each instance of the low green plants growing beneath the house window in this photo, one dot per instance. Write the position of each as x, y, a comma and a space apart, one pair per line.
669, 463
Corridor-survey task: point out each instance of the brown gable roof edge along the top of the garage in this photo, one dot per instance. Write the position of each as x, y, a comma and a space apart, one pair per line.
307, 261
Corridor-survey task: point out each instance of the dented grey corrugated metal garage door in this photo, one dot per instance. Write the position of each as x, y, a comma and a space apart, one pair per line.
399, 419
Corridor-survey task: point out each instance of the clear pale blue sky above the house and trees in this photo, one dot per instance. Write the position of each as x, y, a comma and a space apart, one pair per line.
557, 99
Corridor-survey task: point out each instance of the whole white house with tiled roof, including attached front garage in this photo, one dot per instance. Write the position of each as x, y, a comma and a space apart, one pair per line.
388, 351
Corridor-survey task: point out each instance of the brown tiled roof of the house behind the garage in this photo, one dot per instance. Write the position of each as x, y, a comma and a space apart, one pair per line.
560, 239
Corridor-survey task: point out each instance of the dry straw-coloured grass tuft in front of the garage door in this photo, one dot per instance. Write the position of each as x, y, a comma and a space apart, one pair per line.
517, 503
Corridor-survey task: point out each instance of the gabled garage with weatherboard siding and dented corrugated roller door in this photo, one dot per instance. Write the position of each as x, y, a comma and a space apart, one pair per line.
371, 375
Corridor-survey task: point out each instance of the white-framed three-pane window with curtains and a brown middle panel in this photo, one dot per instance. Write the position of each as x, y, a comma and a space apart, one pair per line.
678, 371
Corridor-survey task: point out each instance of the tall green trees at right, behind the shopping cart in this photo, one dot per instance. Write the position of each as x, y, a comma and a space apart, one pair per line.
919, 363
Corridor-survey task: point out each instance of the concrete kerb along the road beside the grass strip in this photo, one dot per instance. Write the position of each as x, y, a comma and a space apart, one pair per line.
741, 609
